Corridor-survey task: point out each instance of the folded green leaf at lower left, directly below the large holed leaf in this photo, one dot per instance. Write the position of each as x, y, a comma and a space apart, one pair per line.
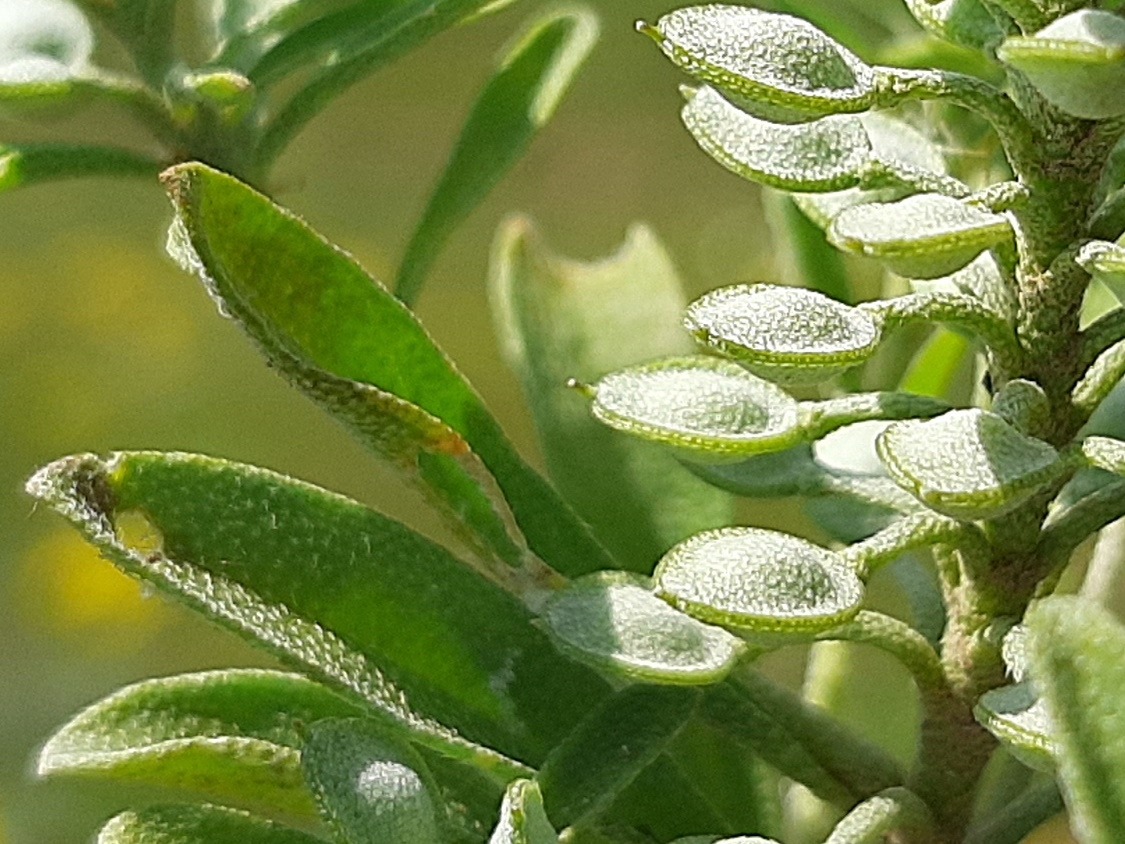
230, 735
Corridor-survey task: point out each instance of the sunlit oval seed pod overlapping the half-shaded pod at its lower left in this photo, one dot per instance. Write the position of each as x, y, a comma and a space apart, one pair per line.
759, 581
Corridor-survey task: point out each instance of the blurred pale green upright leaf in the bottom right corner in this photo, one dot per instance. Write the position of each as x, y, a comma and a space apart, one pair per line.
1076, 659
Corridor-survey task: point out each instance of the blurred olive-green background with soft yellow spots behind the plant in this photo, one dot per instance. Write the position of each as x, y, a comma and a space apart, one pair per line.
106, 345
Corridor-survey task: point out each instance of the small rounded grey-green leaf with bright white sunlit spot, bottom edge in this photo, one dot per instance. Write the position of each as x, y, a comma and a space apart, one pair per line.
371, 791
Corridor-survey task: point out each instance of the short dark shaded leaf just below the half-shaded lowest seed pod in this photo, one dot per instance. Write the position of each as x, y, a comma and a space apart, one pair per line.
604, 755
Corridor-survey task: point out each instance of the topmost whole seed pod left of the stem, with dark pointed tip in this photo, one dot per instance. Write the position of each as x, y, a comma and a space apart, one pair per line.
780, 67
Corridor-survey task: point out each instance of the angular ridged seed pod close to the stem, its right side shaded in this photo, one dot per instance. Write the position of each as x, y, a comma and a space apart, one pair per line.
968, 464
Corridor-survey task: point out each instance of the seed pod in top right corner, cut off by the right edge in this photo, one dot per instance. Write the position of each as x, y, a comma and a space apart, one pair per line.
1076, 62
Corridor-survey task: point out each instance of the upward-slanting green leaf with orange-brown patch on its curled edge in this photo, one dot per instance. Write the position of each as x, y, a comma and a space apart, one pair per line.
329, 326
